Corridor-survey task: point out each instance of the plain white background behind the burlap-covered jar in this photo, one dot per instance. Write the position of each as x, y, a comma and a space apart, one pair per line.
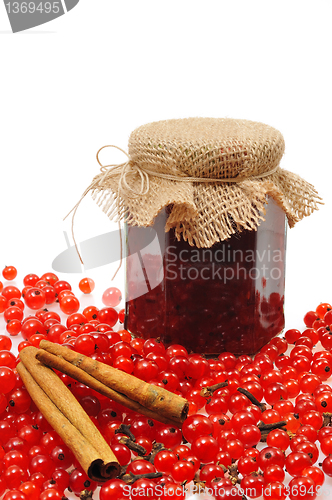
91, 76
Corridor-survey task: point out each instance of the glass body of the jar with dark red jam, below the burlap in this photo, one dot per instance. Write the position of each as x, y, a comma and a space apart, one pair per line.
229, 297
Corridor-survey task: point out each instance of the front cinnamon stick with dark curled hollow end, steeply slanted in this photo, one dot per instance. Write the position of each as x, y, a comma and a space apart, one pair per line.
67, 417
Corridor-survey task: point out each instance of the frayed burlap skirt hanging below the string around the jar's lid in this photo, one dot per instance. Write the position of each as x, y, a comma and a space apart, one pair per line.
204, 214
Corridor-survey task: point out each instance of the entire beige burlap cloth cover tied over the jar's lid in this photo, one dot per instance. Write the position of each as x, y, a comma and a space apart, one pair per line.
215, 173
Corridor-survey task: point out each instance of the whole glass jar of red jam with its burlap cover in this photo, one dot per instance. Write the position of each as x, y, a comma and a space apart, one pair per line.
205, 203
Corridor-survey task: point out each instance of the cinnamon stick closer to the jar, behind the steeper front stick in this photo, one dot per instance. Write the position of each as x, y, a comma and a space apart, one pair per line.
153, 401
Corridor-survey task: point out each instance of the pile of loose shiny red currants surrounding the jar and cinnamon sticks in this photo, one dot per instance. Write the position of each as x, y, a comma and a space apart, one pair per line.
279, 397
